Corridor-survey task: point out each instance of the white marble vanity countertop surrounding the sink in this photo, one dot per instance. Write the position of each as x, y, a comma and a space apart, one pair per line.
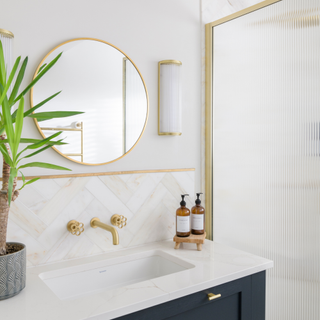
214, 265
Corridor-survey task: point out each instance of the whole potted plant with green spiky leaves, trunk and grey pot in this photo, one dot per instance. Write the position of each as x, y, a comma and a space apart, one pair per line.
14, 148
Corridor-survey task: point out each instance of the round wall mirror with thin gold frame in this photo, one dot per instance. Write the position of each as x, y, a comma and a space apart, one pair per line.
99, 79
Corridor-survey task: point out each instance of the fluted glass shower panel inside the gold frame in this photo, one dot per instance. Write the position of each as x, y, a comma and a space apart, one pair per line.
266, 142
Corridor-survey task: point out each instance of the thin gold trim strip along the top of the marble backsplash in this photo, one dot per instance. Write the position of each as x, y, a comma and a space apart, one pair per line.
95, 174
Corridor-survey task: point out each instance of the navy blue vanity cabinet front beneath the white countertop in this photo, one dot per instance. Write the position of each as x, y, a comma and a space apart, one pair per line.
242, 299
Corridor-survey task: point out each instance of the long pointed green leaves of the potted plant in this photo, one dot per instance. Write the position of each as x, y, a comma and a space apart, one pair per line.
12, 124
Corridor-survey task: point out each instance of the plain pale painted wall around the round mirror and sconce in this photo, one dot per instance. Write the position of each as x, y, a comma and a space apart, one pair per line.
147, 31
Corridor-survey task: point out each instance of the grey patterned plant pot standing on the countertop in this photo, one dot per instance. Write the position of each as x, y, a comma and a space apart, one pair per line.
12, 273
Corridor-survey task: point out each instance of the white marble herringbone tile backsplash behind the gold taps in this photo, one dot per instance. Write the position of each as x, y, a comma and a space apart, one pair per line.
40, 215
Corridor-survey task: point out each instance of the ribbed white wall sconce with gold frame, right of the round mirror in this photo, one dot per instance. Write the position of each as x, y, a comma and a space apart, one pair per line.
169, 98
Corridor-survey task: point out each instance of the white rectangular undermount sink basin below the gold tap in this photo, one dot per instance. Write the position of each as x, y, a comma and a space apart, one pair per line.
114, 273
